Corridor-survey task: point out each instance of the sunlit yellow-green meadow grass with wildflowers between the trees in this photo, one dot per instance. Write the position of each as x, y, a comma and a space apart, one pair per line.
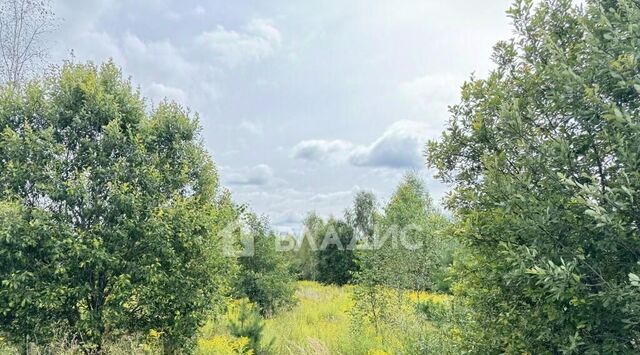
321, 323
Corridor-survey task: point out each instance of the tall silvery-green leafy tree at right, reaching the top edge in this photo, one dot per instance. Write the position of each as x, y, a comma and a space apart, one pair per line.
543, 157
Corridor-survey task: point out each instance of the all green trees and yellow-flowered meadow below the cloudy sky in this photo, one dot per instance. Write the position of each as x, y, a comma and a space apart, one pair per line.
115, 236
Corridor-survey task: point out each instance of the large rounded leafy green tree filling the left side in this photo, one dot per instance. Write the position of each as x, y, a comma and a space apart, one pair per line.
108, 214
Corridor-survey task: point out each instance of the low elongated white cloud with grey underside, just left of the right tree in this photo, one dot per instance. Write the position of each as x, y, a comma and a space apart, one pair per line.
400, 146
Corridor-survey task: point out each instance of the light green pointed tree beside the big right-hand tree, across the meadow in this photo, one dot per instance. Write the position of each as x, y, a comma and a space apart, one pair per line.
409, 248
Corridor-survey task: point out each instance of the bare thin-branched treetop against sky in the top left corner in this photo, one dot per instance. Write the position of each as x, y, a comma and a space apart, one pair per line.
23, 26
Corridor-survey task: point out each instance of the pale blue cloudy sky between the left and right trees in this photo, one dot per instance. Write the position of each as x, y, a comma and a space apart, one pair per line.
302, 103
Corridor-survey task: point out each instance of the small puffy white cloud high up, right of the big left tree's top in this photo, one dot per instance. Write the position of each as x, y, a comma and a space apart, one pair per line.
258, 40
